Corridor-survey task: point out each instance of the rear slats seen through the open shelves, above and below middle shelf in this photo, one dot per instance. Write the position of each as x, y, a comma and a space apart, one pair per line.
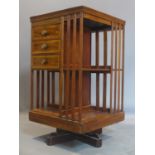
100, 56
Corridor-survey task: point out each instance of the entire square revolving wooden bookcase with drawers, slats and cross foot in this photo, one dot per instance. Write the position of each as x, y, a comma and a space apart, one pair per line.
68, 74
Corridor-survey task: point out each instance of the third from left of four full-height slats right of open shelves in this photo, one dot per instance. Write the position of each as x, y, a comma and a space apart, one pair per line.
119, 55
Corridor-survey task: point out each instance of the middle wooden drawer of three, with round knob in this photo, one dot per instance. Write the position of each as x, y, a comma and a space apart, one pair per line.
52, 46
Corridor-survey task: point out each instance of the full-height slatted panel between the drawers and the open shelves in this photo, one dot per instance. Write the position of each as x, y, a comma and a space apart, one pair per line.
73, 48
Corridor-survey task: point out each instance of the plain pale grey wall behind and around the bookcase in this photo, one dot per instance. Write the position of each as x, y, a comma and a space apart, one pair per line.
121, 8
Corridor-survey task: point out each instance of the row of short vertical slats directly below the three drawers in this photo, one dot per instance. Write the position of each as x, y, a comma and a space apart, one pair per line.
43, 91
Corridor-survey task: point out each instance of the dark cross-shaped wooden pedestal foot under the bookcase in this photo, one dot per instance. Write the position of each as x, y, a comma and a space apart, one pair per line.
61, 136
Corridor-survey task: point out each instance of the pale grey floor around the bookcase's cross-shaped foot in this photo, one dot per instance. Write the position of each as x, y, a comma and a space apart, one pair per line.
118, 139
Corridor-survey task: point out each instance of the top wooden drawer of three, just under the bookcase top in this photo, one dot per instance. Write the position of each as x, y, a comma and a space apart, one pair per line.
46, 32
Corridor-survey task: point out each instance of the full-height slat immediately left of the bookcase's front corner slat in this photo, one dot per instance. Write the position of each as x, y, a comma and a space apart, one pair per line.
73, 71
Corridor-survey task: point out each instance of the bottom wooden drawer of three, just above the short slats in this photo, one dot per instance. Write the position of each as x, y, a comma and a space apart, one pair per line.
45, 62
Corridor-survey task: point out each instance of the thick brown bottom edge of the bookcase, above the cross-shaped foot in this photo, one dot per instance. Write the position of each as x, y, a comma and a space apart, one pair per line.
75, 126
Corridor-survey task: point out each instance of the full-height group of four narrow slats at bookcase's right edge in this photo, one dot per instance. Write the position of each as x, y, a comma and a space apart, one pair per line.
117, 68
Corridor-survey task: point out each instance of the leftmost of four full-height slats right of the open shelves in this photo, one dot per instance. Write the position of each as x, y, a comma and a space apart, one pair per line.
111, 75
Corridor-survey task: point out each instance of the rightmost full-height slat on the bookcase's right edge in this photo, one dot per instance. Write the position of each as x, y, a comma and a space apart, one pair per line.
122, 107
